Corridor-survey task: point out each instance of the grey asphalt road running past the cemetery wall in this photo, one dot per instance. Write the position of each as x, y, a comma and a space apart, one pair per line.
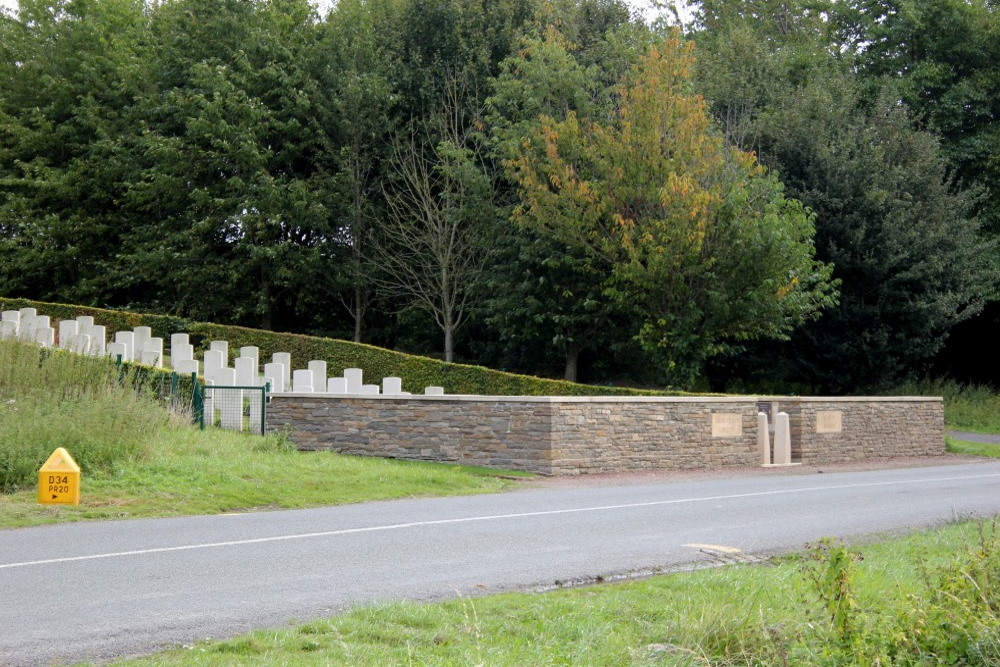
99, 590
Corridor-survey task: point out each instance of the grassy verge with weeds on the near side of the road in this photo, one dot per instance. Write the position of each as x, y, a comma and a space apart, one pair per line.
927, 599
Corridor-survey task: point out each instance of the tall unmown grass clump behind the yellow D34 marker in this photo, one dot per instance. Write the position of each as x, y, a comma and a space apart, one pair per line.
49, 399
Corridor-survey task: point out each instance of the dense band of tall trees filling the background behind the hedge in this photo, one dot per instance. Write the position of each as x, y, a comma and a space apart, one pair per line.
514, 182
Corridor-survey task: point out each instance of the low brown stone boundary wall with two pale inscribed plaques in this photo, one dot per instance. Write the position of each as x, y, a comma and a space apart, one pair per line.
574, 435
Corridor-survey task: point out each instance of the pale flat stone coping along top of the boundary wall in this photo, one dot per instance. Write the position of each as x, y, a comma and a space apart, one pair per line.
617, 399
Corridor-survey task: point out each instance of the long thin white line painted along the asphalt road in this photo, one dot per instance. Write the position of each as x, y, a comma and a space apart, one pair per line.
489, 517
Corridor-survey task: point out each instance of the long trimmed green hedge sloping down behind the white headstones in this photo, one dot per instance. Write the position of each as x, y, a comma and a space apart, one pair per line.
417, 372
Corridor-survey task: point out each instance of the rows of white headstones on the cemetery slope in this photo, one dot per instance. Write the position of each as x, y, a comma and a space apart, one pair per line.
83, 336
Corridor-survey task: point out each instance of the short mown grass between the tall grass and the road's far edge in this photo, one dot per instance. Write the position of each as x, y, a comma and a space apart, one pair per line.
192, 472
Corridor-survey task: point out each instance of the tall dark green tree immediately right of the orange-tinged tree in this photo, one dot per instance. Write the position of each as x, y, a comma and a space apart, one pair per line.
904, 240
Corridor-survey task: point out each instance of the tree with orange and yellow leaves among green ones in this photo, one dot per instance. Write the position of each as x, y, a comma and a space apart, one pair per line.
697, 234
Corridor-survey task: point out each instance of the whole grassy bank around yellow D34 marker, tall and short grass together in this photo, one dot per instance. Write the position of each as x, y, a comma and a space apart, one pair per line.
139, 460
